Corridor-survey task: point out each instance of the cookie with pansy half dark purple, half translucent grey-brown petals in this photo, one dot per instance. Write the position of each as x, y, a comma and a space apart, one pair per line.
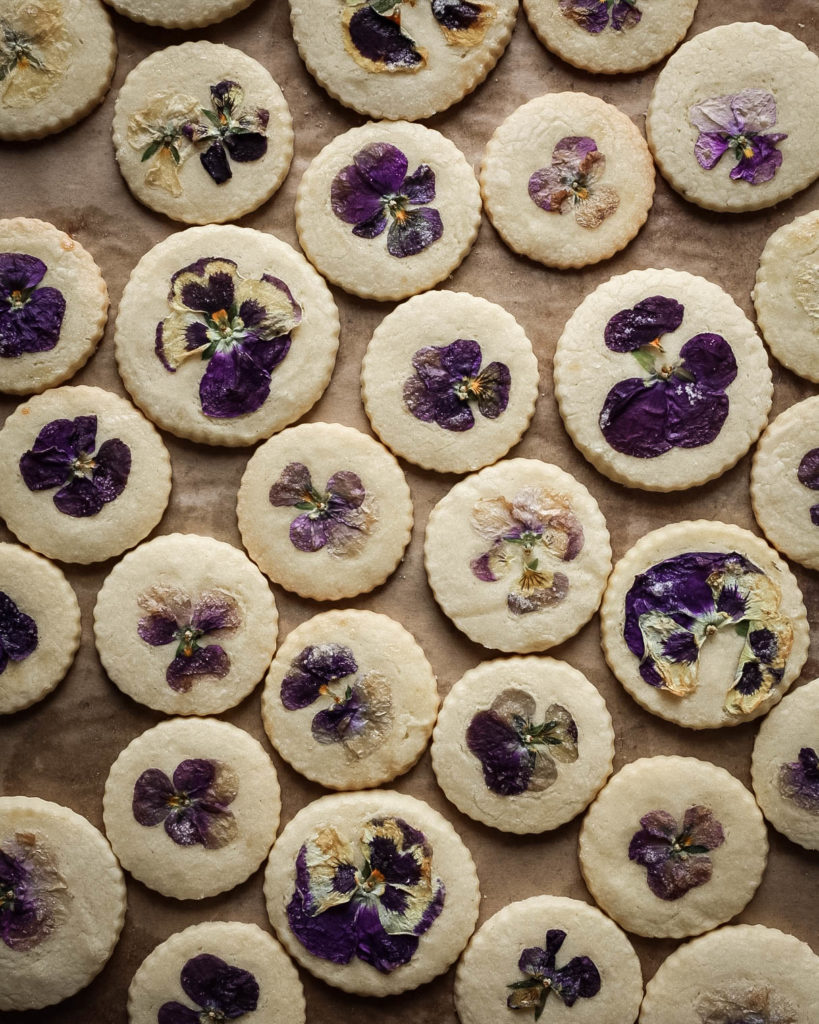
523, 744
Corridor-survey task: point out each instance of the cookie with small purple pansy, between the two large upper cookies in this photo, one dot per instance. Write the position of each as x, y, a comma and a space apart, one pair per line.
401, 373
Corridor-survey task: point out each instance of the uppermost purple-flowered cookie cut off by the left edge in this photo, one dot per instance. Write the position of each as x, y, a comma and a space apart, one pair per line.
54, 306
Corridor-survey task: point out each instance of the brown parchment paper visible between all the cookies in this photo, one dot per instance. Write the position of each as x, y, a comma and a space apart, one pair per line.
62, 749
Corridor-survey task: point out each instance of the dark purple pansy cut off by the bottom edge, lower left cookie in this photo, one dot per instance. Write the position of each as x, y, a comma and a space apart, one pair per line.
223, 992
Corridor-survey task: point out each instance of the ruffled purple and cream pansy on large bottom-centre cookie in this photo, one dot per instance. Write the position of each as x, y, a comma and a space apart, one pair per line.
372, 899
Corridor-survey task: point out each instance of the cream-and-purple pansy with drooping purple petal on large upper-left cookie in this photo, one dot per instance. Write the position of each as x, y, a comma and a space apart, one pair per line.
242, 327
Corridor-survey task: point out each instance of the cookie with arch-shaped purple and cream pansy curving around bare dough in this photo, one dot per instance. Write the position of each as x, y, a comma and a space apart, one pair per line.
704, 625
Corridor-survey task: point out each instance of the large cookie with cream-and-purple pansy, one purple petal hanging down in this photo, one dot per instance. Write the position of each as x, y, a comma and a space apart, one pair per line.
226, 335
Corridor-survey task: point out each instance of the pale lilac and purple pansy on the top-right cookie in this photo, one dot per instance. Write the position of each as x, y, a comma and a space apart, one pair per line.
737, 122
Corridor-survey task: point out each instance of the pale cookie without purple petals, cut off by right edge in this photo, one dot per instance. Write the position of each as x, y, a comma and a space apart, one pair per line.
787, 295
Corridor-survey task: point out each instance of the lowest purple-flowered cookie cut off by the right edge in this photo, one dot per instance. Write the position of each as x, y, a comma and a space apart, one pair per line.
784, 769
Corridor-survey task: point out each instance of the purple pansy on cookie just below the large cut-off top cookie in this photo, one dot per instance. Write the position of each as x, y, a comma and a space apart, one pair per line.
376, 190
